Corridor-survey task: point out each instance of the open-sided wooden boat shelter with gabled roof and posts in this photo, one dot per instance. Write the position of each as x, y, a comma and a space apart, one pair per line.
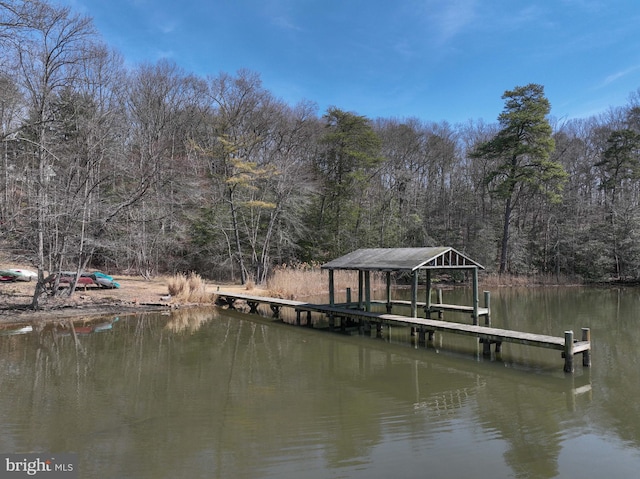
409, 261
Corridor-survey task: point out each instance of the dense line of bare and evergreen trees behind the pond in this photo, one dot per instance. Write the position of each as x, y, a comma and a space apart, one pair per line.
152, 169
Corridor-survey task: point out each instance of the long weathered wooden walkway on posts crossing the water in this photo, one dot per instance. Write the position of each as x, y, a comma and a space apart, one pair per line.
487, 335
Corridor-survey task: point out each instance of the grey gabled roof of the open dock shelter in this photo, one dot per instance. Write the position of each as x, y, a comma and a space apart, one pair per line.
402, 259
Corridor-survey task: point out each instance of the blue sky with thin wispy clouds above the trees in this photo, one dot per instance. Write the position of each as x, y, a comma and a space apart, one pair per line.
436, 60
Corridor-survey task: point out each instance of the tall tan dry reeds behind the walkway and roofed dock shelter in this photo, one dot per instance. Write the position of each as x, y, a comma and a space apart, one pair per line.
294, 282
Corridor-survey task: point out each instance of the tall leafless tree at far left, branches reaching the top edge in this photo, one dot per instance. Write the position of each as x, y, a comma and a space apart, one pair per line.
50, 47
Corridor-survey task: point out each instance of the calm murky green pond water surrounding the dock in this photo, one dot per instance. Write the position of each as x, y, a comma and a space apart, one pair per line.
204, 394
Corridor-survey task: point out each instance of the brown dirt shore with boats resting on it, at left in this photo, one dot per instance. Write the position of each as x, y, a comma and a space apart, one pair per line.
135, 294
